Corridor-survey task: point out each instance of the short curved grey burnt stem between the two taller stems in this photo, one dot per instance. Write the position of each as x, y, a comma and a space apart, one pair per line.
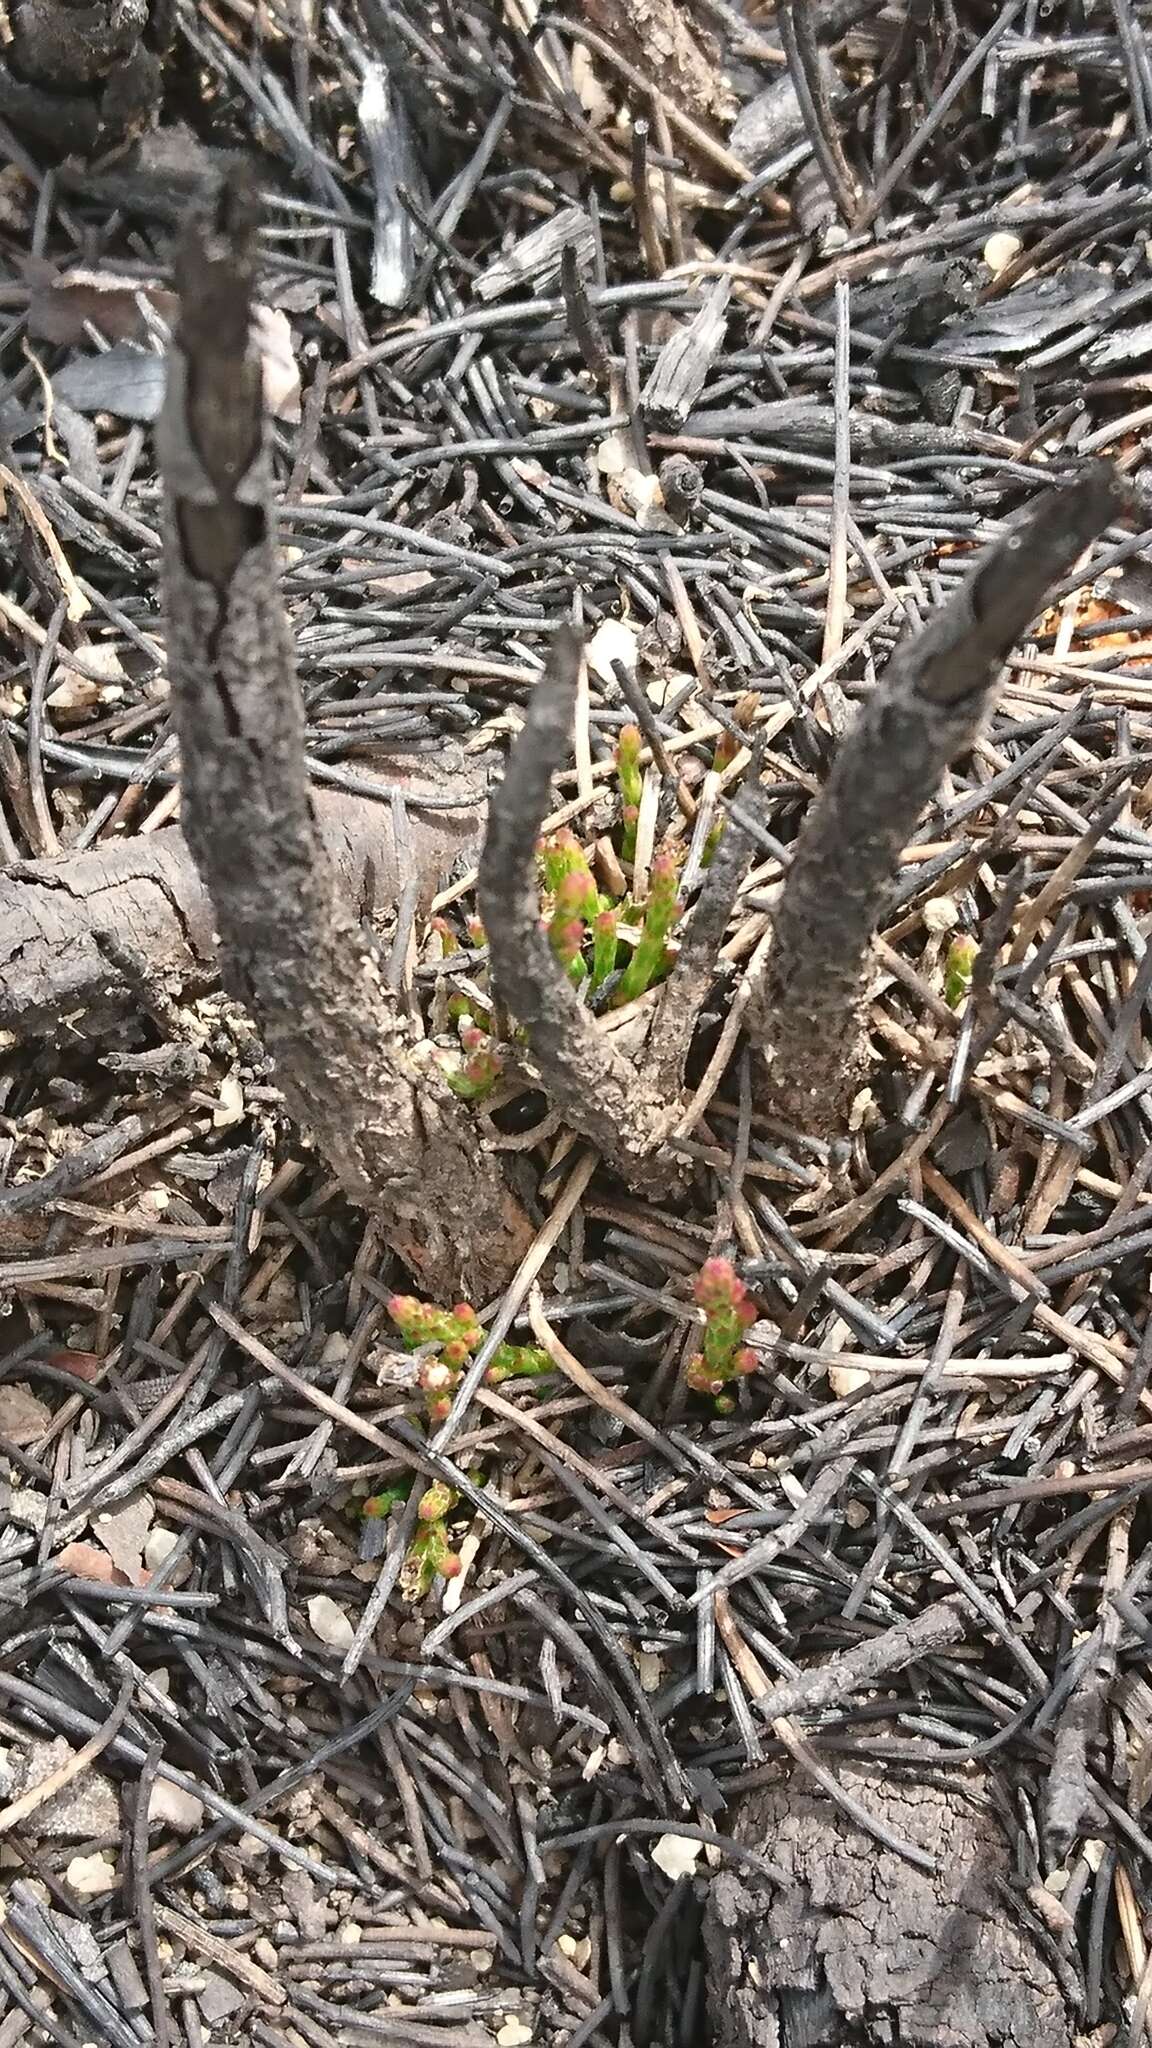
587, 1080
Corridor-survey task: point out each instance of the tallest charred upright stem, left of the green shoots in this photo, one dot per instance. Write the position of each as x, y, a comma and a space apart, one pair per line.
292, 945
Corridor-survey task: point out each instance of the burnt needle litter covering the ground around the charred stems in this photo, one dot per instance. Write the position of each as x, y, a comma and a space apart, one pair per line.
731, 374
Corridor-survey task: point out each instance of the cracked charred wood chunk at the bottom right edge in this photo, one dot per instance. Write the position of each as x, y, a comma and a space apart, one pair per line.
864, 1951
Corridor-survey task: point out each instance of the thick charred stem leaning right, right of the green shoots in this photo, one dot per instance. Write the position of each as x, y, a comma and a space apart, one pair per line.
923, 714
